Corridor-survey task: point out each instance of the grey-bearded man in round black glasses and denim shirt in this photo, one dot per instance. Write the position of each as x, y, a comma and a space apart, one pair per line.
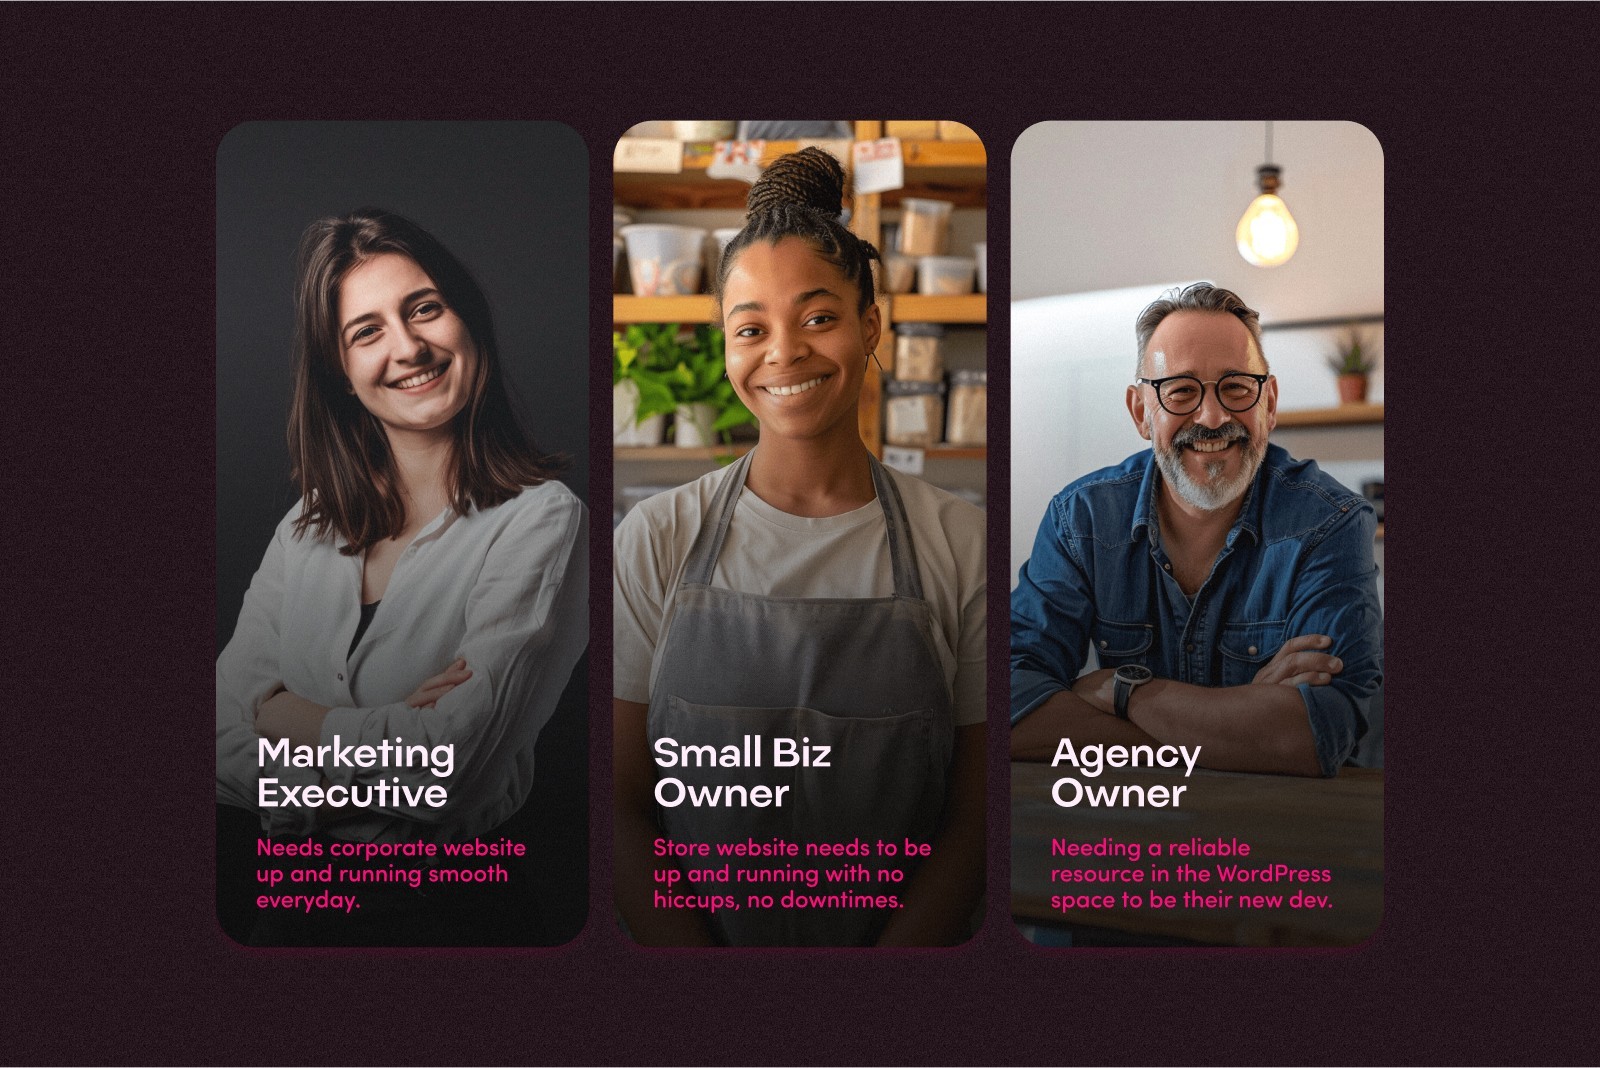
1226, 589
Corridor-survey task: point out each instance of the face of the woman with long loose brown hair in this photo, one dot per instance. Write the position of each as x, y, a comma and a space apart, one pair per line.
409, 357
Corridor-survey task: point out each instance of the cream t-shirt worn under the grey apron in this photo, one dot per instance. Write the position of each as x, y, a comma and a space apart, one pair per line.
775, 554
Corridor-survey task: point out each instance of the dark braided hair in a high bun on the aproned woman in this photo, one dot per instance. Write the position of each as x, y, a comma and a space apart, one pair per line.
802, 196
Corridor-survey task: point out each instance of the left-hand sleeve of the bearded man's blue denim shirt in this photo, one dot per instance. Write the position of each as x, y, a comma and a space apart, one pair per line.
1052, 608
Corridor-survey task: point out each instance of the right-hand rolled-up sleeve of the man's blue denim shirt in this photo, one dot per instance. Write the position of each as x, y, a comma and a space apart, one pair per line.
1337, 596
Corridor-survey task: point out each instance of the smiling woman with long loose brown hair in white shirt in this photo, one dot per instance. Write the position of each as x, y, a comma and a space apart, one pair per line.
430, 589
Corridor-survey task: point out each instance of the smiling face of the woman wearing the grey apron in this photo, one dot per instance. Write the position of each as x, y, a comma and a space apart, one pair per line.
798, 346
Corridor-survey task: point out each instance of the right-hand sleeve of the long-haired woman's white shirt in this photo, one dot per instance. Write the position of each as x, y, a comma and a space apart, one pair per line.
527, 626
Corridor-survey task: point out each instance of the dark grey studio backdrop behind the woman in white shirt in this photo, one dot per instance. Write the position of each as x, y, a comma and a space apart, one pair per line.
510, 201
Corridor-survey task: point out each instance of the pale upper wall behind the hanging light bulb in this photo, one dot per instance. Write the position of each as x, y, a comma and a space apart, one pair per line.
1114, 205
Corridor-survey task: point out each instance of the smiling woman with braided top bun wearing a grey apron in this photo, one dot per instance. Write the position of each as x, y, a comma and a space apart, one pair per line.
807, 596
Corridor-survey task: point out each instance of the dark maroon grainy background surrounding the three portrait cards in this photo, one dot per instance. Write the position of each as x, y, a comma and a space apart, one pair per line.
113, 118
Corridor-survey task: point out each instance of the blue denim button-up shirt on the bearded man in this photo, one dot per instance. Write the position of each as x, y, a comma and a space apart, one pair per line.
1297, 562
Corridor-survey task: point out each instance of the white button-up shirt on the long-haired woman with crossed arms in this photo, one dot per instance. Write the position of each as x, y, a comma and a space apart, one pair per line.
506, 588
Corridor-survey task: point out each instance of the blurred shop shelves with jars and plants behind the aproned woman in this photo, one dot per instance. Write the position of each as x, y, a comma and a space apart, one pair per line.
918, 191
